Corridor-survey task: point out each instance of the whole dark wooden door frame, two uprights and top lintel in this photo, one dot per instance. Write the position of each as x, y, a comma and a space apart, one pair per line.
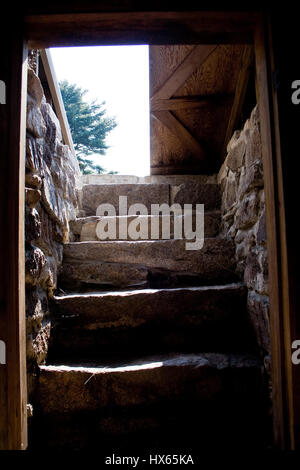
43, 31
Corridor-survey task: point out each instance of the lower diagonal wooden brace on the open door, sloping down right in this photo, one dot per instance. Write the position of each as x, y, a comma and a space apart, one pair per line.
184, 136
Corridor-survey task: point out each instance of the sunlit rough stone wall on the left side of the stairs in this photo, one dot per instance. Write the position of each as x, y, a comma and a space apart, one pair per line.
51, 180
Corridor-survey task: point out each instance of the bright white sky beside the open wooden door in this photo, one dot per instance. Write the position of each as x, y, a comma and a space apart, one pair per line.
118, 75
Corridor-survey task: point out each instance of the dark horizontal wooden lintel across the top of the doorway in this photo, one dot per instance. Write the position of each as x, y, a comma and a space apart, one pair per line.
138, 27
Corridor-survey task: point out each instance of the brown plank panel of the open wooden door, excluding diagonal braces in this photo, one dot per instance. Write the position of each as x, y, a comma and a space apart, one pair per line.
211, 83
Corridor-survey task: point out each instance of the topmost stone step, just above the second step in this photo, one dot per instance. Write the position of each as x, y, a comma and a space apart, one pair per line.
147, 194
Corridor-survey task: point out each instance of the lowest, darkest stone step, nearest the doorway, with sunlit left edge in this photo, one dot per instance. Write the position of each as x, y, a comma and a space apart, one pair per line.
152, 404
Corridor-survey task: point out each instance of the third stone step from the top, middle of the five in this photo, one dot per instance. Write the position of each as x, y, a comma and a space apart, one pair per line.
147, 263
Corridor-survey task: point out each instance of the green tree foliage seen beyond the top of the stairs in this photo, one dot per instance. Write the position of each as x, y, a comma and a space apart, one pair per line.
89, 126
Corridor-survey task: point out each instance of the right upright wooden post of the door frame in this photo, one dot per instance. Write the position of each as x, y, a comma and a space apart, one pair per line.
282, 396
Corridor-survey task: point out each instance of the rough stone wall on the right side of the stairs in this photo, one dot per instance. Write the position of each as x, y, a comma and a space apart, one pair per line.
243, 219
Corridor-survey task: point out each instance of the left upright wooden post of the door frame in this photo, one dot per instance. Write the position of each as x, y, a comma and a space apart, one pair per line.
13, 390
